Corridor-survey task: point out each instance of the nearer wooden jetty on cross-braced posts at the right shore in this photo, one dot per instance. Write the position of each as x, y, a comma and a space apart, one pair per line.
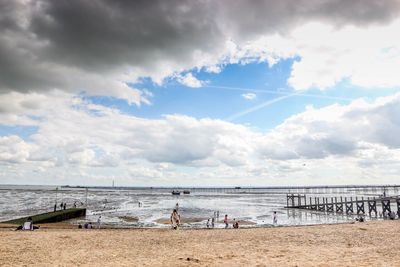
344, 205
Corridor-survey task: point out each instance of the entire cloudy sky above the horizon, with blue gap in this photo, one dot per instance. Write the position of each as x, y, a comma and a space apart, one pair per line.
199, 93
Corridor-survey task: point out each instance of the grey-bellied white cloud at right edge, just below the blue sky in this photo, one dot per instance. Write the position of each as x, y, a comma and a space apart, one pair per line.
336, 130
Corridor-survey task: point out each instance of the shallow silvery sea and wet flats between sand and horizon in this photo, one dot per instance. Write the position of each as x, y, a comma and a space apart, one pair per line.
119, 207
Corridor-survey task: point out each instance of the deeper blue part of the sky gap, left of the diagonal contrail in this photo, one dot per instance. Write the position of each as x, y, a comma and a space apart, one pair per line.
207, 101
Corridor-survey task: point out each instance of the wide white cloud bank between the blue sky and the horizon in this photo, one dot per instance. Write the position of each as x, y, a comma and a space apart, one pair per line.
74, 134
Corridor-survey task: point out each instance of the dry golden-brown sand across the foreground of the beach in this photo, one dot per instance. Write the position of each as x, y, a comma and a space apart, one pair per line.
359, 244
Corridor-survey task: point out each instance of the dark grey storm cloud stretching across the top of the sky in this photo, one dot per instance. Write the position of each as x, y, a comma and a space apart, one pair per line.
70, 44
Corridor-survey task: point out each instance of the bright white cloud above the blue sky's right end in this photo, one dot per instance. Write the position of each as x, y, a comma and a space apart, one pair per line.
366, 57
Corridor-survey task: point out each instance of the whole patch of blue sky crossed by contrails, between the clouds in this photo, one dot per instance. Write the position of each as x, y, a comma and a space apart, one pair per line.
221, 96
